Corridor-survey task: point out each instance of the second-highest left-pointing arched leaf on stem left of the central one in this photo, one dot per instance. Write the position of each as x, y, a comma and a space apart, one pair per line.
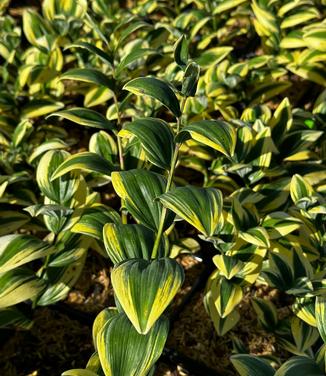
89, 75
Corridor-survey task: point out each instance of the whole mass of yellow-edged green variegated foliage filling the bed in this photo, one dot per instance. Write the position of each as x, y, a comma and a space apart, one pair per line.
229, 92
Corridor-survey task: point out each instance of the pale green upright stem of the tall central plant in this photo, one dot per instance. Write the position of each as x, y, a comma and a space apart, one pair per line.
169, 183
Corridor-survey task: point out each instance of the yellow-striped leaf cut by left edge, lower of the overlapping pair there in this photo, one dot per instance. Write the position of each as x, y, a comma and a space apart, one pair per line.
18, 285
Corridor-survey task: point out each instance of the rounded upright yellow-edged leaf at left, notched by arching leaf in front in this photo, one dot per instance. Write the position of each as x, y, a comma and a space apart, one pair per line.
60, 190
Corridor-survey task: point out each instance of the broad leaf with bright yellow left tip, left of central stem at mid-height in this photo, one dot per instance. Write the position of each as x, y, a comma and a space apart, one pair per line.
139, 189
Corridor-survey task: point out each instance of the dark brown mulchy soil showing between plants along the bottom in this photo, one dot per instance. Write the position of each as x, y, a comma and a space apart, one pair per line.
58, 342
